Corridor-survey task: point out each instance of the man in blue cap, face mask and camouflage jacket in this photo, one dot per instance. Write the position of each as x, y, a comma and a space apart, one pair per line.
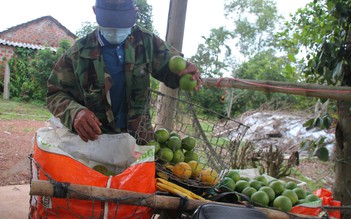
100, 85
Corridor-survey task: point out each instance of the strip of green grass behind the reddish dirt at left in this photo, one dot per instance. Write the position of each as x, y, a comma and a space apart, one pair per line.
10, 110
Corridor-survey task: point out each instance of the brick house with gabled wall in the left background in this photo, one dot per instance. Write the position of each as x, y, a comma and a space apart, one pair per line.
41, 33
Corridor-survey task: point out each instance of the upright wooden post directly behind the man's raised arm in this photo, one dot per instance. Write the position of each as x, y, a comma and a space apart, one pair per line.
174, 36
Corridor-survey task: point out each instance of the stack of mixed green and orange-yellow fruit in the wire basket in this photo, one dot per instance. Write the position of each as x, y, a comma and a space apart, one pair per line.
178, 159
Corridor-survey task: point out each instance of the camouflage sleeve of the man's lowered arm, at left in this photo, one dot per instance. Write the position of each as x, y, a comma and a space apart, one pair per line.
62, 97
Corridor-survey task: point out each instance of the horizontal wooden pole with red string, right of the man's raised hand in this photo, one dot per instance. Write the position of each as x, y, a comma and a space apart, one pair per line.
302, 89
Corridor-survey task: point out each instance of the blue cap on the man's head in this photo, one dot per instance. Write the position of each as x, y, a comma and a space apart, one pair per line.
115, 13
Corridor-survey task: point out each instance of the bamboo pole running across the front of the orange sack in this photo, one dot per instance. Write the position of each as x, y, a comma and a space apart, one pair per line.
75, 191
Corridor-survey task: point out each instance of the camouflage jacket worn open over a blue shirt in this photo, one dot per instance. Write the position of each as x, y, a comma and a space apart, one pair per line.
78, 80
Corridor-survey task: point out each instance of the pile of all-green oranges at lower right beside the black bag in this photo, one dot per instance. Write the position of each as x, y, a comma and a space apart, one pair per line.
273, 193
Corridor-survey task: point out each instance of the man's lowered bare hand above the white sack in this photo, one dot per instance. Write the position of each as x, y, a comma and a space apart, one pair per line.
87, 125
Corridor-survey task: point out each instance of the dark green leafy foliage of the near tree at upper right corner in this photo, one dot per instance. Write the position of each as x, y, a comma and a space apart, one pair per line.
322, 28
